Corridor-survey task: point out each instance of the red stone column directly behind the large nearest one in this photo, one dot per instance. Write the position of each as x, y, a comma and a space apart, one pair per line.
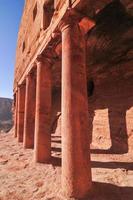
43, 111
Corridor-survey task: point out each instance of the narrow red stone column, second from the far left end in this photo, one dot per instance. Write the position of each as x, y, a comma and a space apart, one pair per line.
20, 117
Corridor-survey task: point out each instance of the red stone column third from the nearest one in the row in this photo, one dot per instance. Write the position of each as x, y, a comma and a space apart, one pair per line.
29, 119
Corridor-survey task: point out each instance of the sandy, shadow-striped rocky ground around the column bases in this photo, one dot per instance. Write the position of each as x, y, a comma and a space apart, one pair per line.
22, 179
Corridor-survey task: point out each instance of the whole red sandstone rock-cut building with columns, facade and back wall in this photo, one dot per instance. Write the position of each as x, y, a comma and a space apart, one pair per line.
74, 71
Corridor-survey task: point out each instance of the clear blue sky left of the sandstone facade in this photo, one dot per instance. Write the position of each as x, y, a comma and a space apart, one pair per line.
10, 16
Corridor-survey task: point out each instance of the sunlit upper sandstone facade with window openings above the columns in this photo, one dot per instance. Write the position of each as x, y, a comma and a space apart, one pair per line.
39, 21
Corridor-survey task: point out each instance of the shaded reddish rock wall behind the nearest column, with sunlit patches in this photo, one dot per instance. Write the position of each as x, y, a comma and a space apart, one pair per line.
109, 67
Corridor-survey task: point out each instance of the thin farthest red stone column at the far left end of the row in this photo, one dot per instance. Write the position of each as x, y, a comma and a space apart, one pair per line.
16, 114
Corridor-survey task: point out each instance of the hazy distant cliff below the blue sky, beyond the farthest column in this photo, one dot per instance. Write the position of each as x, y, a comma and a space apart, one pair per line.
5, 114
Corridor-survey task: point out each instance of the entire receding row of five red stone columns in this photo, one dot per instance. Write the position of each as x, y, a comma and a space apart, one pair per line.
33, 111
